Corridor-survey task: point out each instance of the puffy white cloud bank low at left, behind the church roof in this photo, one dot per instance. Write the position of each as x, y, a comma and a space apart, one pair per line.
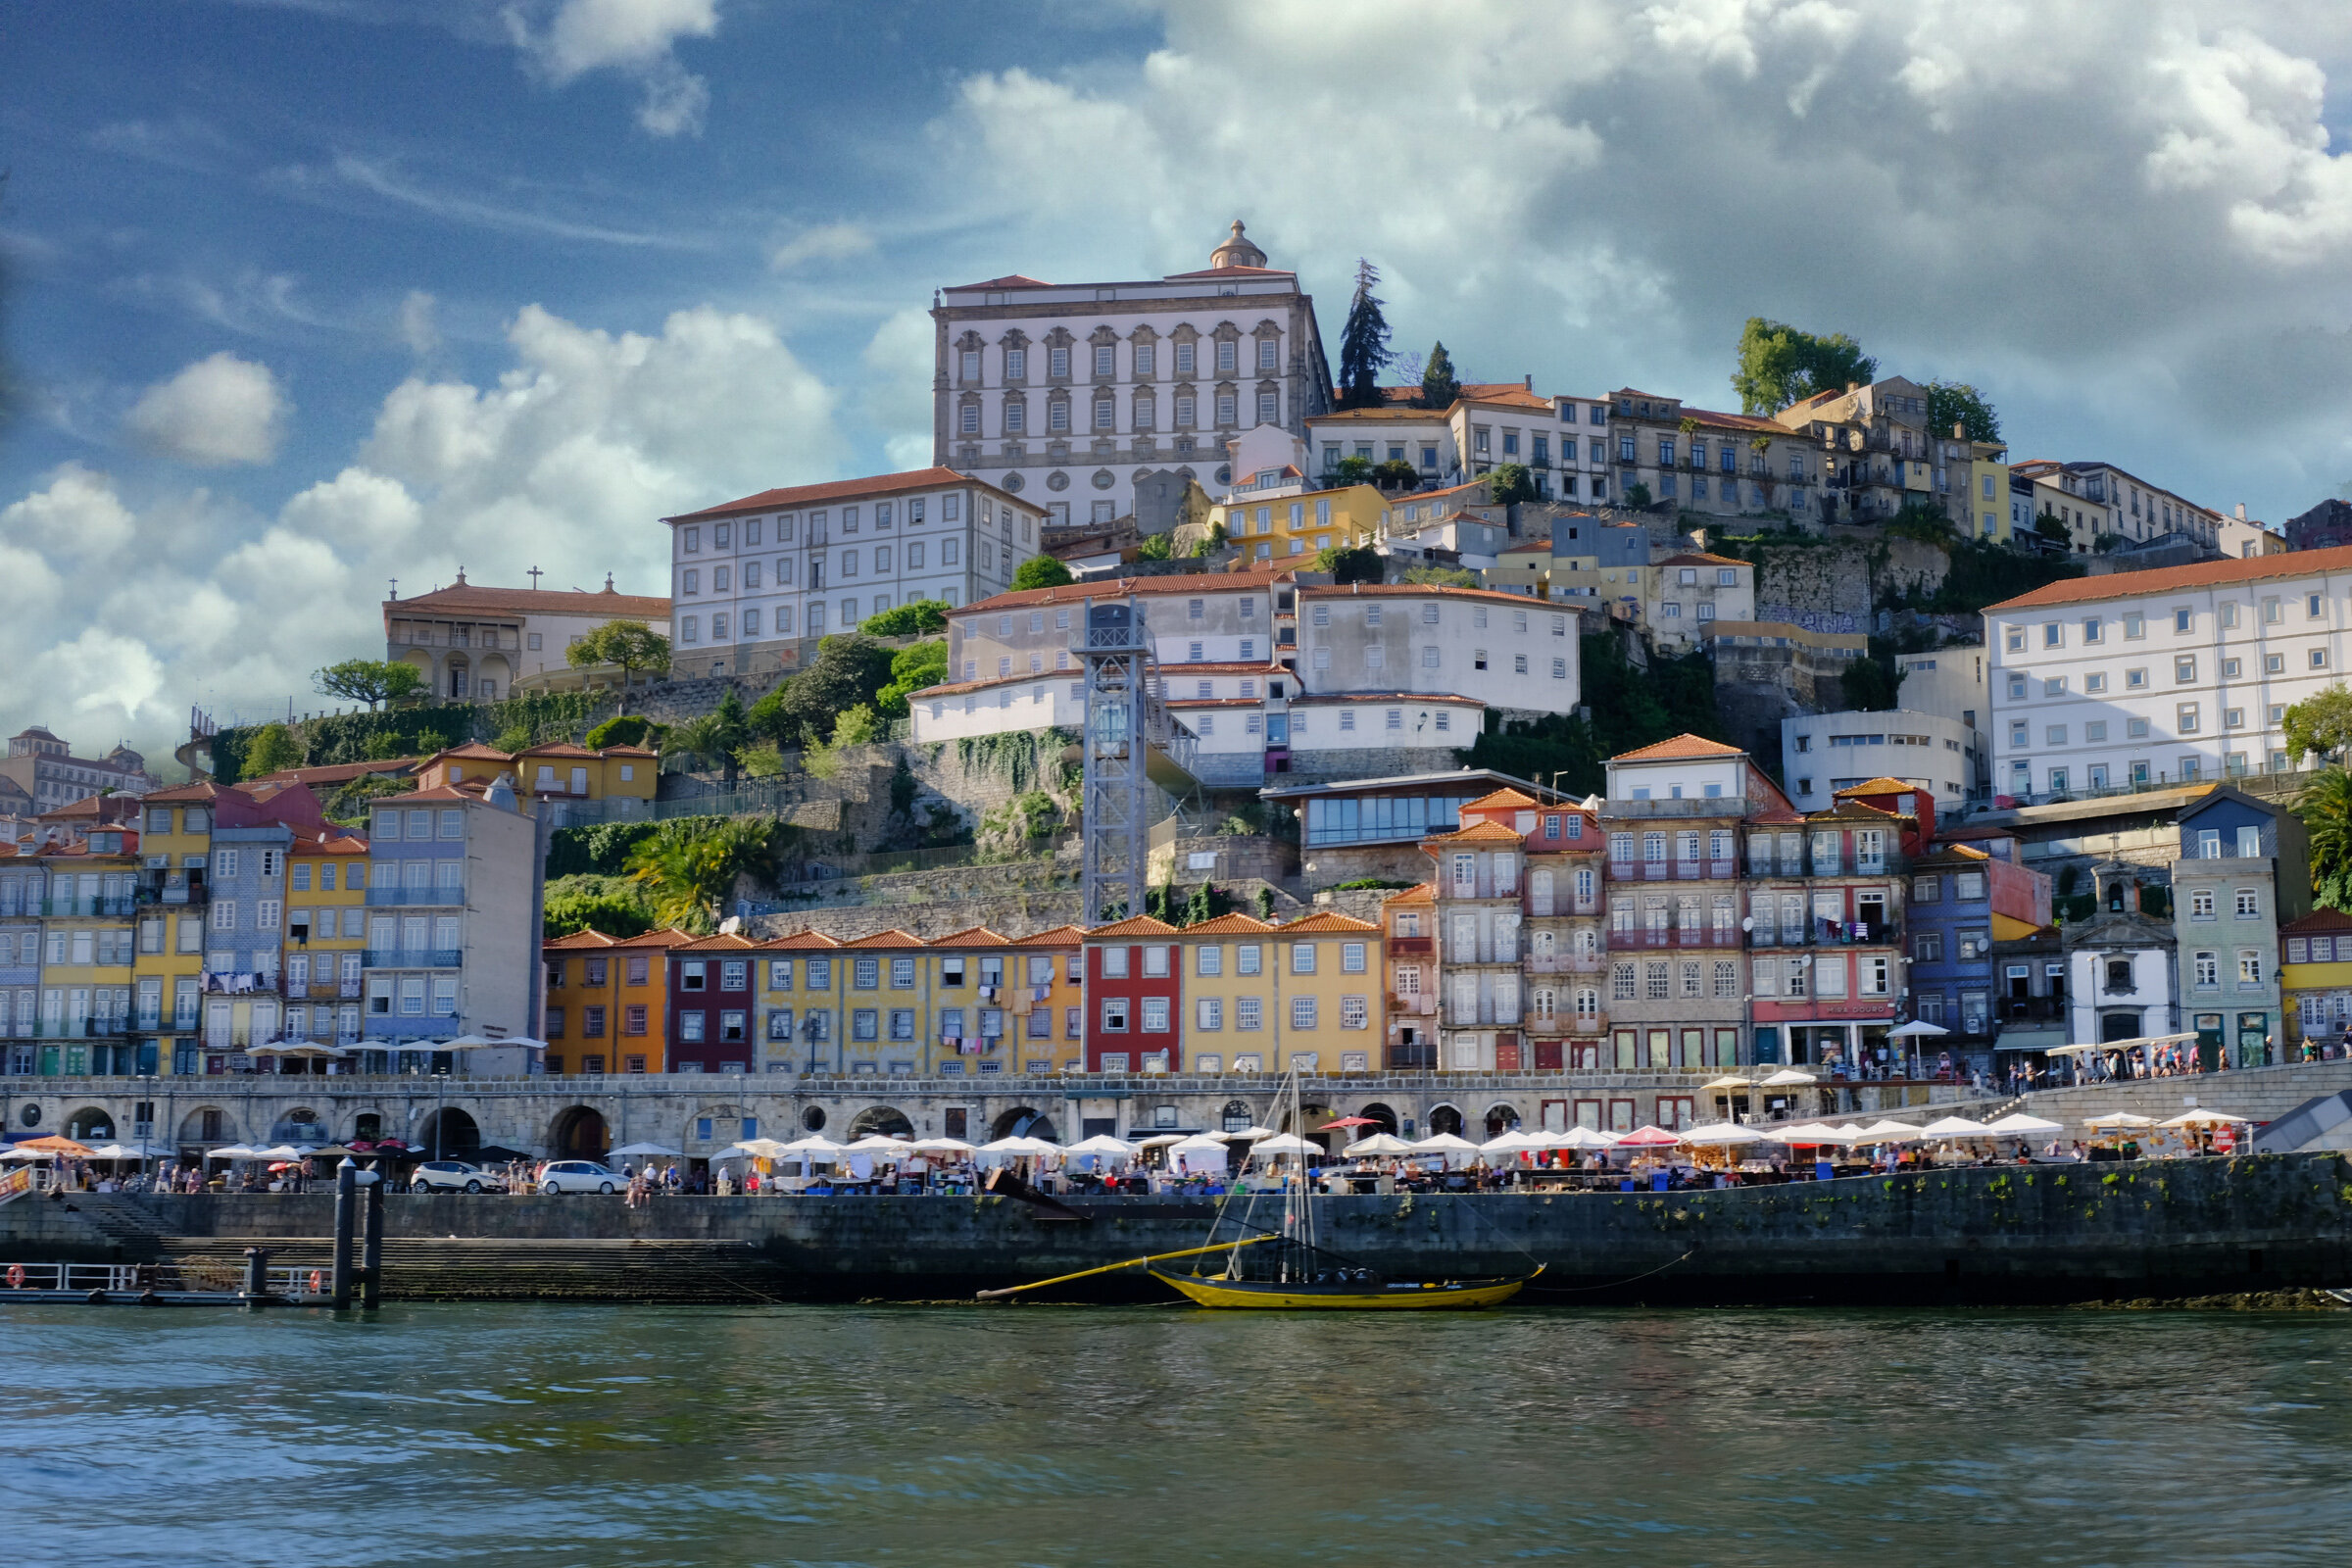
566, 462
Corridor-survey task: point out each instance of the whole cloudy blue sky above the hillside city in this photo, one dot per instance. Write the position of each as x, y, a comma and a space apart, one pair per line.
307, 297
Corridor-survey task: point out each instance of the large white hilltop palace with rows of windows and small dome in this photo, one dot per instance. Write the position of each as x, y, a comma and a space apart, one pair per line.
1071, 394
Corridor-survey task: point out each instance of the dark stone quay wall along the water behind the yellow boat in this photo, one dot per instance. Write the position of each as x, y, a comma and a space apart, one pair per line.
2022, 1235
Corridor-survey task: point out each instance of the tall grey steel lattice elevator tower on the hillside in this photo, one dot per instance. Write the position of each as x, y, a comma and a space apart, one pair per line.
1118, 742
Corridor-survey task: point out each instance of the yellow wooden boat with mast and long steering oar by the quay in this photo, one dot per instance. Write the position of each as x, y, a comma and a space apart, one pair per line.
1297, 1275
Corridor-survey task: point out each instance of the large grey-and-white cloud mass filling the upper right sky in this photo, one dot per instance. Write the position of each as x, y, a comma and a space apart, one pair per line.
2106, 213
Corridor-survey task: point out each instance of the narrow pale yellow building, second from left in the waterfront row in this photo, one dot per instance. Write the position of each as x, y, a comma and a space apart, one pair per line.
88, 949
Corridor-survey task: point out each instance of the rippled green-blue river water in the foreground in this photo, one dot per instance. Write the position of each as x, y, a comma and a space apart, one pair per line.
627, 1438
